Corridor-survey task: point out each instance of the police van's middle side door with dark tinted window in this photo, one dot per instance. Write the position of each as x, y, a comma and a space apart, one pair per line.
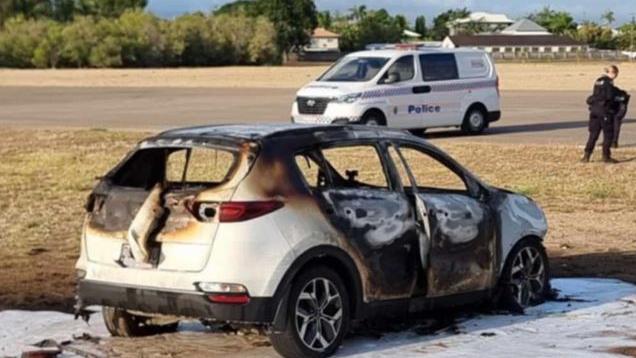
440, 97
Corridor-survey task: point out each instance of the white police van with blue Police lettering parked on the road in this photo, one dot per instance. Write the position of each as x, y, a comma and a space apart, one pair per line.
410, 89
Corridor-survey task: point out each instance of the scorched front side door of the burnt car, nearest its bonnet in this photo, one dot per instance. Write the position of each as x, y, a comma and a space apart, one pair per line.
460, 248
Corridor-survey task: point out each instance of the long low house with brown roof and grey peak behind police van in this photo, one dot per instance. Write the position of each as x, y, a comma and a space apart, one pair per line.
524, 38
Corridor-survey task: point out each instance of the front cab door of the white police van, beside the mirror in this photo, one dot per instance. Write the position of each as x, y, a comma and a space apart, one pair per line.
396, 86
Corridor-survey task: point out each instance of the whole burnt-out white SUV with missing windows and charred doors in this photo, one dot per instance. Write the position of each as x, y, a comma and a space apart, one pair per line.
302, 229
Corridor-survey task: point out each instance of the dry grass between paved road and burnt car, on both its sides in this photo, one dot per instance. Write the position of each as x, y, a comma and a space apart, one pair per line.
45, 177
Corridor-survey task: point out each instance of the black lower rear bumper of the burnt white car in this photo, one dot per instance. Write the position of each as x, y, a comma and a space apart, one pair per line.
259, 310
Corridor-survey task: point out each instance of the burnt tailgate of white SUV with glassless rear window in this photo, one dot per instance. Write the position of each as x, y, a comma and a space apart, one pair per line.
158, 209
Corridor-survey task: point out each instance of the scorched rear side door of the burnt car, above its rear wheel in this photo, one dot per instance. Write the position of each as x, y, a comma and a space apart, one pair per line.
359, 197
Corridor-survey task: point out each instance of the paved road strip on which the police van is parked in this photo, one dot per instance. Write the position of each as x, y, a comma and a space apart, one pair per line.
529, 116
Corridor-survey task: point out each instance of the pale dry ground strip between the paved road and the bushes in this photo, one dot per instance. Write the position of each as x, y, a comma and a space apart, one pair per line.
567, 76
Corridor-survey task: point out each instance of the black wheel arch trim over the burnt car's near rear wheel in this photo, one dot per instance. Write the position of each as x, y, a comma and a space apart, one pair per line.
326, 255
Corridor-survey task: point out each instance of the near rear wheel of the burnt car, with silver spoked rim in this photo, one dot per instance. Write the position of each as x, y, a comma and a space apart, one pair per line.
323, 320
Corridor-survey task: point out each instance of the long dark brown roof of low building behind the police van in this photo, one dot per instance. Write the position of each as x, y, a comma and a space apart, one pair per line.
513, 40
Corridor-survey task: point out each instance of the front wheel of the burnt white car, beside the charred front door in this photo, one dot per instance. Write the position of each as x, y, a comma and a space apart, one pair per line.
525, 279
